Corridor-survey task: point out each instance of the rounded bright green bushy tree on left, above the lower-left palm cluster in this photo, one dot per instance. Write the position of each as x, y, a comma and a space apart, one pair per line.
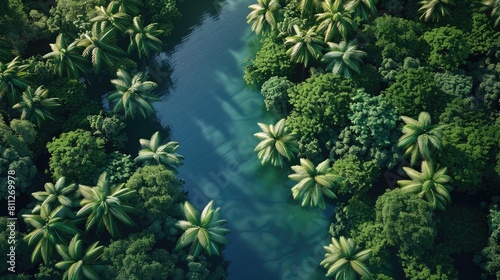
76, 155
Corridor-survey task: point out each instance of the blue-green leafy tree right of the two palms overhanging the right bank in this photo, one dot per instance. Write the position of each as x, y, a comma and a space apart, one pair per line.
371, 134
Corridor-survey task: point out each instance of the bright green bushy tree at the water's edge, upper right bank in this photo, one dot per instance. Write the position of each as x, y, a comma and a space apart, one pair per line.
271, 60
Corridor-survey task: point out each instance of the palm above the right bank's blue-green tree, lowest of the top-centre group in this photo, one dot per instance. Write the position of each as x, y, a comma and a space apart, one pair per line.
344, 58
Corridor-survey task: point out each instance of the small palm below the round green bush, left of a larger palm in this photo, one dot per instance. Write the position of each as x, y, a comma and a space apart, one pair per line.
60, 194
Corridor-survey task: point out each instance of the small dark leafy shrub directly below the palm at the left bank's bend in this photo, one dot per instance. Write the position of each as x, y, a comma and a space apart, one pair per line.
110, 127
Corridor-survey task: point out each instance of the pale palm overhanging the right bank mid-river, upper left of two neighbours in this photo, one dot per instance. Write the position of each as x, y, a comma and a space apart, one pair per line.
277, 143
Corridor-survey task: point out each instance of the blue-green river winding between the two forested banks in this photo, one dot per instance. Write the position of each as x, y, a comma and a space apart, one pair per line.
214, 116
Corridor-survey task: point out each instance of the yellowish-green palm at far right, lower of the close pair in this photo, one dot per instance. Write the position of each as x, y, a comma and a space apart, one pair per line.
429, 183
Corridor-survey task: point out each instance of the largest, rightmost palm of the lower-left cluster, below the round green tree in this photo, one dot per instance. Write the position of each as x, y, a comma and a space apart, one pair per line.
104, 205
